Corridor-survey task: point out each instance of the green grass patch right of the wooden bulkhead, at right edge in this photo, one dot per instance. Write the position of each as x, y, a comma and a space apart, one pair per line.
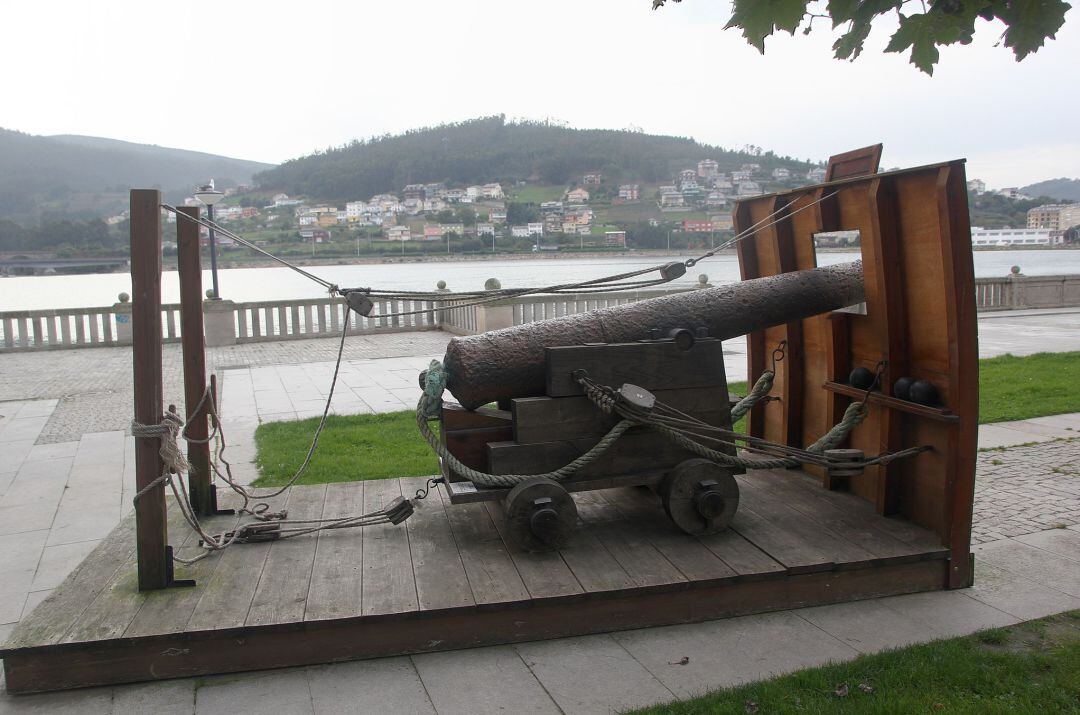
1034, 386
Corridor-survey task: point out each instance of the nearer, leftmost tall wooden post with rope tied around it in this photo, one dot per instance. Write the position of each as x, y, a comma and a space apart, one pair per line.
152, 531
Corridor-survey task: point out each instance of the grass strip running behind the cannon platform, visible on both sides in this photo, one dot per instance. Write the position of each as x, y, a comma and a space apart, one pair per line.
377, 447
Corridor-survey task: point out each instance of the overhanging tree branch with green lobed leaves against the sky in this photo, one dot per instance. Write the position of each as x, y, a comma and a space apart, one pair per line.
925, 25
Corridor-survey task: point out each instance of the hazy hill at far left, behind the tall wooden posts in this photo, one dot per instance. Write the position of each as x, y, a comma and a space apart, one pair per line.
79, 178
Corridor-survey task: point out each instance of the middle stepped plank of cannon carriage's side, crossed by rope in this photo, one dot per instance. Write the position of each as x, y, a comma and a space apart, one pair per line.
547, 420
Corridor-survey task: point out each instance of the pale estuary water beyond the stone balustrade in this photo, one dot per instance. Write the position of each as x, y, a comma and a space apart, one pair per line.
246, 285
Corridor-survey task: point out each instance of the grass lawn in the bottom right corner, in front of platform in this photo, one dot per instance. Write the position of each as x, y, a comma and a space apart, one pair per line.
1030, 668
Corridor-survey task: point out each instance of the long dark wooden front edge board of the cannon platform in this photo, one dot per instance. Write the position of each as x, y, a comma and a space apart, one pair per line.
228, 652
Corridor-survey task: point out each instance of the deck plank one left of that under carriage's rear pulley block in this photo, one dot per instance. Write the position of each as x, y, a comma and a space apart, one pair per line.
336, 586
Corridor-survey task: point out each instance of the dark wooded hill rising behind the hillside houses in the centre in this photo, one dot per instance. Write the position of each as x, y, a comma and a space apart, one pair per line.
493, 150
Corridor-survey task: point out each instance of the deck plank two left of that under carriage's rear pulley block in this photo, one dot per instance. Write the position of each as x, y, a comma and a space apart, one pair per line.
282, 593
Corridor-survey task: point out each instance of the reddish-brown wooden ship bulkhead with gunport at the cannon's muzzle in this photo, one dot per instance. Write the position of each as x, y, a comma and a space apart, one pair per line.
920, 317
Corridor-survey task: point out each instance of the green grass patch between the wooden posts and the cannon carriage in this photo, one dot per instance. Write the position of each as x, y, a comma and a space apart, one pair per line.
350, 449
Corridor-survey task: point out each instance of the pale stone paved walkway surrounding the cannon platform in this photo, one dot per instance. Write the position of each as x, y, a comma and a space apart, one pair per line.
66, 479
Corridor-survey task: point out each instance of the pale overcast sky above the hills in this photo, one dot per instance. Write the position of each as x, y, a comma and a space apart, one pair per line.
272, 80
